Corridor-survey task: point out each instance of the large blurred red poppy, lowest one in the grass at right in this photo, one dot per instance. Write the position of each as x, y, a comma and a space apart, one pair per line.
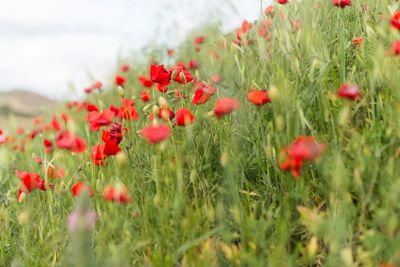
304, 148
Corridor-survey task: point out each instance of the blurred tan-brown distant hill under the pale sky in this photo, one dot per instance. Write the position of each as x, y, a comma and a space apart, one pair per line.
23, 103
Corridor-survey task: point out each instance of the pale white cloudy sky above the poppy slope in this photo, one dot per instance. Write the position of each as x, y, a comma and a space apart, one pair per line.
50, 46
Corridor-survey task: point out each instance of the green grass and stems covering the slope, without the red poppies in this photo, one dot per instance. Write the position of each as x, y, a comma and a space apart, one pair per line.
214, 194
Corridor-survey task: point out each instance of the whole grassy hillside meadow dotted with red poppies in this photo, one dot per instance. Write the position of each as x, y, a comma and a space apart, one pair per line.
277, 144
